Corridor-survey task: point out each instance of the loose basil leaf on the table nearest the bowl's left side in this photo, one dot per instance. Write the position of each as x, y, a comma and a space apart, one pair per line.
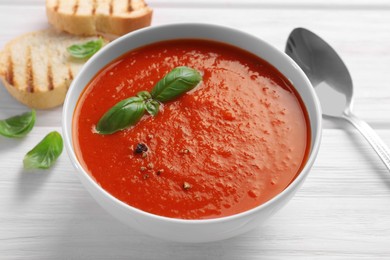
45, 153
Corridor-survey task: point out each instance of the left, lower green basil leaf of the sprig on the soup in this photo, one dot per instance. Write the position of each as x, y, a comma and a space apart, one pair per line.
124, 114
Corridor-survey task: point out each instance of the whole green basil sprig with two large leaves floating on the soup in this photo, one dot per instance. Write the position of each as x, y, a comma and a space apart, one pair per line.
129, 112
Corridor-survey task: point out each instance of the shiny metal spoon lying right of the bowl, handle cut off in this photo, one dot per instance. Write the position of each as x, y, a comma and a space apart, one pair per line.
332, 81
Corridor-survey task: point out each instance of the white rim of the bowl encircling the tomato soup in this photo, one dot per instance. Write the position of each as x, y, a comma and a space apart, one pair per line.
315, 143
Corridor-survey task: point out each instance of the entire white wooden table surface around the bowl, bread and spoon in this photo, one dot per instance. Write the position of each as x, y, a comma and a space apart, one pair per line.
341, 212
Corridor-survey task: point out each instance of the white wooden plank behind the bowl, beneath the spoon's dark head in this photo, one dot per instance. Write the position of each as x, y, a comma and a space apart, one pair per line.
362, 39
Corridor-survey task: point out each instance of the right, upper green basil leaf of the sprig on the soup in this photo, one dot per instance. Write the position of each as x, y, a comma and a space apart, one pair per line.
176, 83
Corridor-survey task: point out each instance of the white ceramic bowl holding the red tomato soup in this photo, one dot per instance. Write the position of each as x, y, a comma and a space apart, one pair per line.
179, 229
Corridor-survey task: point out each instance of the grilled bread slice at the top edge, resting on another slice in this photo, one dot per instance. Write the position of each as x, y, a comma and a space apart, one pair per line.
91, 17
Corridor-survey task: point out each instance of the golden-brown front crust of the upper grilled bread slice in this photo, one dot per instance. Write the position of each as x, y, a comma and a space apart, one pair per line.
92, 24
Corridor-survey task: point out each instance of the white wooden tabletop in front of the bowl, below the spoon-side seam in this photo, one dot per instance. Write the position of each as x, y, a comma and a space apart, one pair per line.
340, 212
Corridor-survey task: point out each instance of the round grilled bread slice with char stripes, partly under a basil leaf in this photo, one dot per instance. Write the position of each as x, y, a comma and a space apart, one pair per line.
37, 70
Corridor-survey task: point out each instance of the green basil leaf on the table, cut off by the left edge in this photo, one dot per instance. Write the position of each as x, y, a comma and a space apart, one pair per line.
18, 126
